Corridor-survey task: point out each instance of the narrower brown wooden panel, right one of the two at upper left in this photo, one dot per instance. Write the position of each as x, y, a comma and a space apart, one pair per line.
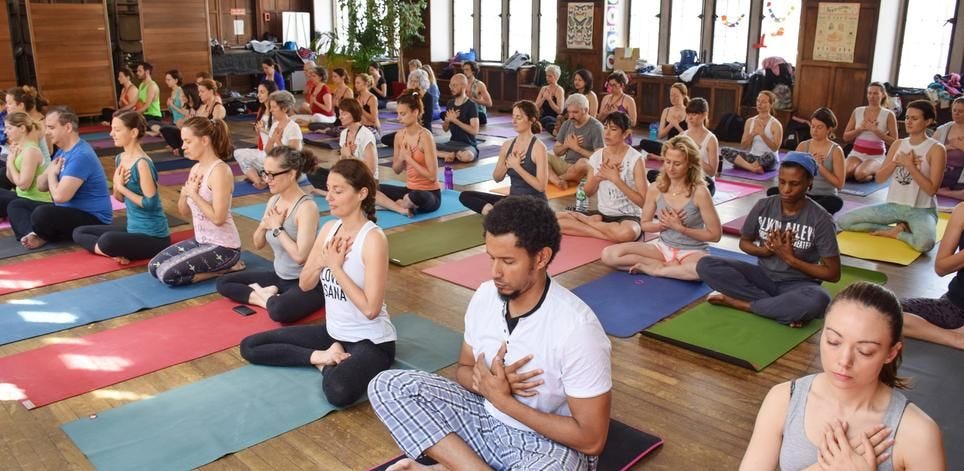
175, 35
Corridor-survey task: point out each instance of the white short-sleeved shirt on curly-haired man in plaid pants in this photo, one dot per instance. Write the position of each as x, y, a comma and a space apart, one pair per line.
562, 334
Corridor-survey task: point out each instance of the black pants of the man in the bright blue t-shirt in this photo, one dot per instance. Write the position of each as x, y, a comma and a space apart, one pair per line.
51, 223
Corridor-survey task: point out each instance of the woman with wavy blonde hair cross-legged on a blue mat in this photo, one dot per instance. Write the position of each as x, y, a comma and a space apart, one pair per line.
680, 208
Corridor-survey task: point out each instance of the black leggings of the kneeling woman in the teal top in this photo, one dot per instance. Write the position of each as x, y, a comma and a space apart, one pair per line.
115, 241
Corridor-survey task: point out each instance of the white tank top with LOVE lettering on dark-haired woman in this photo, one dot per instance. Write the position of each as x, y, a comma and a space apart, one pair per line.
345, 322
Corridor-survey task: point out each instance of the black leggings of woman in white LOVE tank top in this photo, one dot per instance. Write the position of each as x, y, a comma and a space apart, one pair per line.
343, 383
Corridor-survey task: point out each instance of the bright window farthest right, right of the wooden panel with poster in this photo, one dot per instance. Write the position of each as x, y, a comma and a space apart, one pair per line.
926, 44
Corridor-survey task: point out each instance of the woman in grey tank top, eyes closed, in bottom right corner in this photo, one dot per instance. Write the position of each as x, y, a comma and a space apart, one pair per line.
851, 415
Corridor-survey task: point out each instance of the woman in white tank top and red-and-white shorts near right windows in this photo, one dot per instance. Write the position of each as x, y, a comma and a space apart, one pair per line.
871, 128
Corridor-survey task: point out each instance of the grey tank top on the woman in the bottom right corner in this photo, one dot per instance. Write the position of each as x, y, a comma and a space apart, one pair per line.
797, 452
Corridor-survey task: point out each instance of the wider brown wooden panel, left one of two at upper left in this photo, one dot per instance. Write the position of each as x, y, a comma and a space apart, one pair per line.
72, 56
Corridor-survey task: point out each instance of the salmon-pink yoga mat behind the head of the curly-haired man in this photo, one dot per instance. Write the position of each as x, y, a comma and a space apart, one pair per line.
472, 271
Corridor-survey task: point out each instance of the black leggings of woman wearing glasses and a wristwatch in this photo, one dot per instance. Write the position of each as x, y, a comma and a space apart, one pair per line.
289, 305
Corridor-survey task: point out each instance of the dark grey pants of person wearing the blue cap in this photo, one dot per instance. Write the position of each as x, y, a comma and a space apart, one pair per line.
783, 301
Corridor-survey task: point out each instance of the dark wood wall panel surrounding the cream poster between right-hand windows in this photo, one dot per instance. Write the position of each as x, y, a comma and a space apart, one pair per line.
838, 85
